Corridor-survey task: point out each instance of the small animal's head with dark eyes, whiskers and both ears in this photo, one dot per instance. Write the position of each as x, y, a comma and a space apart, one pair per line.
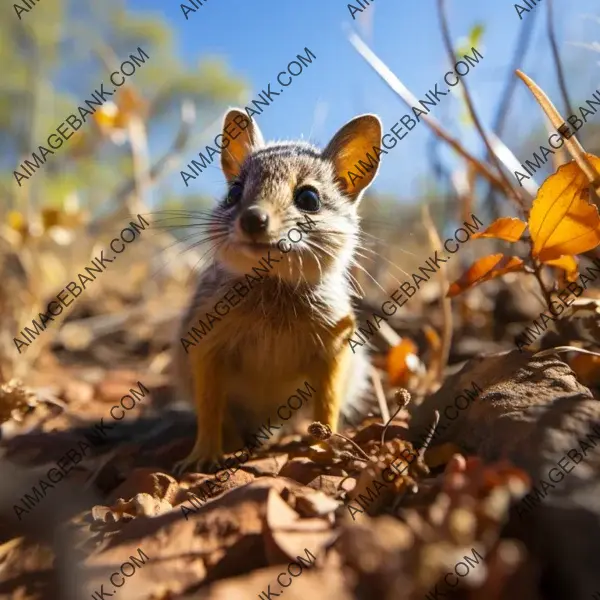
291, 200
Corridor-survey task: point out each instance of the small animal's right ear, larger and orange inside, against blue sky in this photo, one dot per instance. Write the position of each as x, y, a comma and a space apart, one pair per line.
358, 140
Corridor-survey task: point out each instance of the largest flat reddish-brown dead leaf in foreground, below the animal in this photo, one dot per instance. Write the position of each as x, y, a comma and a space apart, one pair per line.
223, 538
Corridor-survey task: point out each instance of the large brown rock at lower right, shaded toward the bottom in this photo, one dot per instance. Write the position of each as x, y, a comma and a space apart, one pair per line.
535, 413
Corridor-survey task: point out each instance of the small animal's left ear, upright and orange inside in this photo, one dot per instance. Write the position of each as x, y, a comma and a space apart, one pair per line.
243, 136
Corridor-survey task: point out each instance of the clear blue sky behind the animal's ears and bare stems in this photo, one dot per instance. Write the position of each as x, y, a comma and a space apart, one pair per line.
259, 38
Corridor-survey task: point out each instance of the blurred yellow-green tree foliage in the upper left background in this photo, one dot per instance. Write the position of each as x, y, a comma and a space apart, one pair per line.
53, 58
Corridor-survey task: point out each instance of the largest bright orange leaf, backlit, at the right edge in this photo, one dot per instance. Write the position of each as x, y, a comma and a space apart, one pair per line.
562, 220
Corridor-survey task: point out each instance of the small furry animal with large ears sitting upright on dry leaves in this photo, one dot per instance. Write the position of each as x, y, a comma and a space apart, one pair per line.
293, 326
